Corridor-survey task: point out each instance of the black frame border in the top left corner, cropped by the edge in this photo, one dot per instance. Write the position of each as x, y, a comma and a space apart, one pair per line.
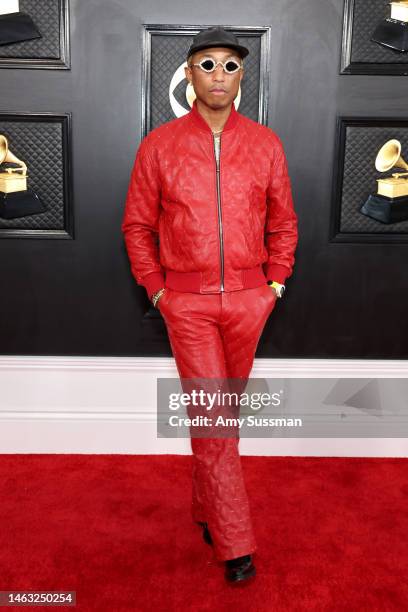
62, 63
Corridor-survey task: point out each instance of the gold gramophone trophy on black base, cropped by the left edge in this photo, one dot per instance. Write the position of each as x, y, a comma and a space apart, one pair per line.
16, 199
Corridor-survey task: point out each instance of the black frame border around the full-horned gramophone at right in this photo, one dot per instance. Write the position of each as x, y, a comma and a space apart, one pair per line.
339, 152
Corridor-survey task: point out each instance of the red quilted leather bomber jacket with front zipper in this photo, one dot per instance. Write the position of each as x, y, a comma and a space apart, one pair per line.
190, 228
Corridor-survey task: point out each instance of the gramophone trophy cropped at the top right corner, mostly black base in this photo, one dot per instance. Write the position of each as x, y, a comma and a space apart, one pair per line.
392, 32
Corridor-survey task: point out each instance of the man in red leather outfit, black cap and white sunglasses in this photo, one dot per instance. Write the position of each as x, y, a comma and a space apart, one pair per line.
213, 186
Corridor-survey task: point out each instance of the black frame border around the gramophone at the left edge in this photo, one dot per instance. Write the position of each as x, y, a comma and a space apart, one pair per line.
66, 122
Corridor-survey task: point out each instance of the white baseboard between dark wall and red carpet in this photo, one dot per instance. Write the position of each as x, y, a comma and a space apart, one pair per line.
108, 405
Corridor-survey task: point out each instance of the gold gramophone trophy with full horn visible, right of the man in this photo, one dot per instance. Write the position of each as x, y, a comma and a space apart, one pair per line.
390, 204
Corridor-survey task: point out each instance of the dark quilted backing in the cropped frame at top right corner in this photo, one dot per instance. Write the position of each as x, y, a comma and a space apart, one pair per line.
367, 14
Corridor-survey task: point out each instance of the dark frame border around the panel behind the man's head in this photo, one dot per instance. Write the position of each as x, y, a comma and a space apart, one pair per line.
149, 30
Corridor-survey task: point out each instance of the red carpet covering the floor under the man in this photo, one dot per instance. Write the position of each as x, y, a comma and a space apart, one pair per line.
332, 534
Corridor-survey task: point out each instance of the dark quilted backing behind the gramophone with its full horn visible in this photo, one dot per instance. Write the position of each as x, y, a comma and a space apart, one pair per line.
360, 174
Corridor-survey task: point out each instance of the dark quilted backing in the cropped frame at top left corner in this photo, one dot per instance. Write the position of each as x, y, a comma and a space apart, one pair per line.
45, 15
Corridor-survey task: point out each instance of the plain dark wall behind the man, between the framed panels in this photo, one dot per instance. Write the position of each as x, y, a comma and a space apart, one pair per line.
77, 297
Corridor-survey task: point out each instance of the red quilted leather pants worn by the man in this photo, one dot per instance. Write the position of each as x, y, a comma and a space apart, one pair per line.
216, 336
